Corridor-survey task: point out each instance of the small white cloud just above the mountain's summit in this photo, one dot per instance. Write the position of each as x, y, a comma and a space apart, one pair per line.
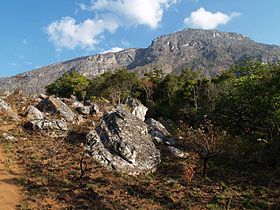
208, 20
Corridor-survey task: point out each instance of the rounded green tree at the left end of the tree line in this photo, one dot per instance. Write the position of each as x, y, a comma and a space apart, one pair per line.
69, 84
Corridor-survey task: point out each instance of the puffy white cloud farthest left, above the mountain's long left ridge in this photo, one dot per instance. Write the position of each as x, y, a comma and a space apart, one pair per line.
66, 33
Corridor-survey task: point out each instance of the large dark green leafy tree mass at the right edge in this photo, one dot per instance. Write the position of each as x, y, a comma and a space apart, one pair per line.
249, 108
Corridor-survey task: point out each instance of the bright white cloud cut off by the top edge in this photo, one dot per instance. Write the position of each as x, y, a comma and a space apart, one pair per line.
134, 12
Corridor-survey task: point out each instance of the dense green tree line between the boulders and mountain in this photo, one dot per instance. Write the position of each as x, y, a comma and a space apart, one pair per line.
243, 101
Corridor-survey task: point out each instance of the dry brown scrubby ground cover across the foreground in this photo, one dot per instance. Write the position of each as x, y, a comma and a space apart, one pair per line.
51, 178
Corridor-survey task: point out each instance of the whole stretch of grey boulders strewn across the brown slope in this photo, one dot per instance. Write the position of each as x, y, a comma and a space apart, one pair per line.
118, 139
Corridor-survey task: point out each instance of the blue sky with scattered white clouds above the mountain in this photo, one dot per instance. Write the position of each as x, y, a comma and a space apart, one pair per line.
36, 33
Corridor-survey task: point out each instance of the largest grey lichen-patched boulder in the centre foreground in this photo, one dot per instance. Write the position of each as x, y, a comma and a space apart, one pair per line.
122, 142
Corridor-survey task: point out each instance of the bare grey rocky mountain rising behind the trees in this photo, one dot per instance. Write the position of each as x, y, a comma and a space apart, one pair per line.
209, 50
